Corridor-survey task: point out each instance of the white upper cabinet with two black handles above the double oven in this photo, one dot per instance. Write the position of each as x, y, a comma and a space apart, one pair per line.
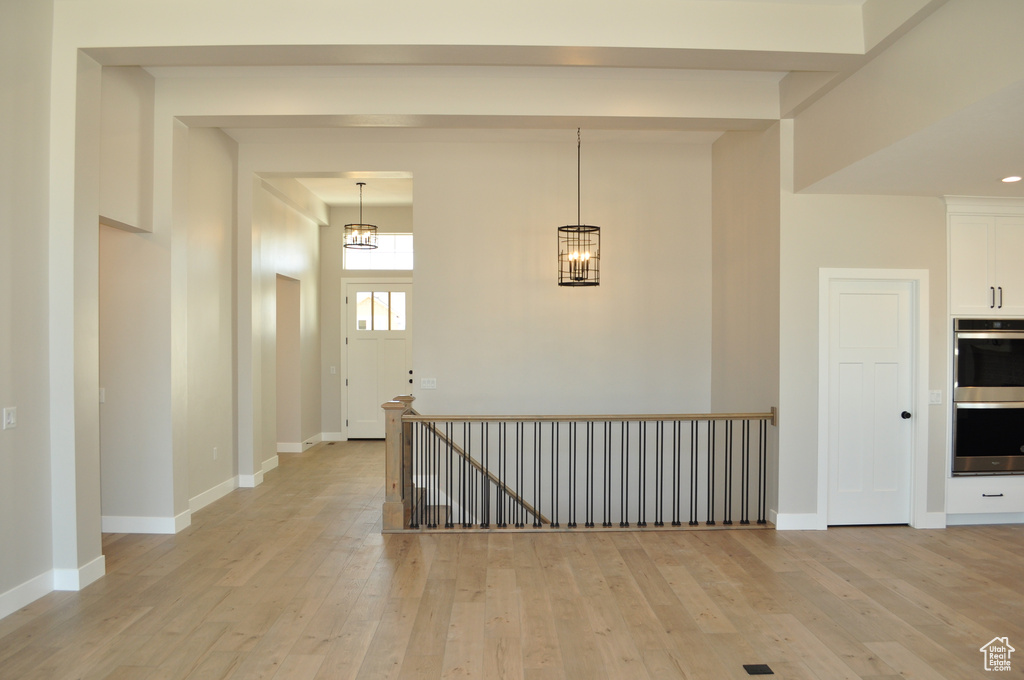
987, 265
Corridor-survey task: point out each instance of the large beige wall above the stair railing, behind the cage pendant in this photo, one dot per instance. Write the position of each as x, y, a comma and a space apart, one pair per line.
491, 323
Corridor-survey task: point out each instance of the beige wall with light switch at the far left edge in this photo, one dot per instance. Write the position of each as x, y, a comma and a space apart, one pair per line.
26, 550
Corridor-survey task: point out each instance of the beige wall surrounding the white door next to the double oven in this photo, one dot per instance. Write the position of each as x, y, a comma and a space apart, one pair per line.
865, 232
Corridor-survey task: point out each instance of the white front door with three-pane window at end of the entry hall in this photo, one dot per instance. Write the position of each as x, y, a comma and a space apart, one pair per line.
379, 353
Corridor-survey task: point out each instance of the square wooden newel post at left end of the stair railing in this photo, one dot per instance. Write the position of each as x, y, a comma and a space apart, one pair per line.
398, 466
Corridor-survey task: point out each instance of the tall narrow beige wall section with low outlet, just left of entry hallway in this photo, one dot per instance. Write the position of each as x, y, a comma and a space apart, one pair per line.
212, 189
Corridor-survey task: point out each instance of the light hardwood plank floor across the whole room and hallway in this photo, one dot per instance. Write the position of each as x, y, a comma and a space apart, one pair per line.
293, 580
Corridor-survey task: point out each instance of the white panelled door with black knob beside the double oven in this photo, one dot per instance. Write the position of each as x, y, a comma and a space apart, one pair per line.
871, 434
